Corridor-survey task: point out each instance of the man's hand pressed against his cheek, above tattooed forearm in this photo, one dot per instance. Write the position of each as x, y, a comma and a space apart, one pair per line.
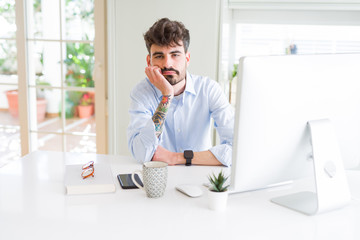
158, 80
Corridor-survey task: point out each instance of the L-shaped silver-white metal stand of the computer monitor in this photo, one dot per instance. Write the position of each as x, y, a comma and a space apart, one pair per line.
332, 189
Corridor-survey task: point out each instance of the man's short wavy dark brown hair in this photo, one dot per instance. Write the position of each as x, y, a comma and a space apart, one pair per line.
165, 32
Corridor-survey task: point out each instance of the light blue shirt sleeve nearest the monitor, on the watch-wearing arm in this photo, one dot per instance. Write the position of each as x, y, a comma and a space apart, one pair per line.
223, 114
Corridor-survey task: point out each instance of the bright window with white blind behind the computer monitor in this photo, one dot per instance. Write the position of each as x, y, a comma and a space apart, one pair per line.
272, 31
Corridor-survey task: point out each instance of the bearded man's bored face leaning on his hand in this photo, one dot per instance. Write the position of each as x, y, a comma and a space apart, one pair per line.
172, 60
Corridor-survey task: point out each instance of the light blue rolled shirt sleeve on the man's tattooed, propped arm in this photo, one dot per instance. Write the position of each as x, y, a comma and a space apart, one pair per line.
142, 140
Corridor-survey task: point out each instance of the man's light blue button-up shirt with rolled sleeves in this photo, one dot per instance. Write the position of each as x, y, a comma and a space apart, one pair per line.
187, 123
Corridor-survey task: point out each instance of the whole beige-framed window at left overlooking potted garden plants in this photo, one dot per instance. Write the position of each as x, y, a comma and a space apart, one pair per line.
56, 76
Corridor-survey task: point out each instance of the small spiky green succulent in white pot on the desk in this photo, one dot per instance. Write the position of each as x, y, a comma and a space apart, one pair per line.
218, 194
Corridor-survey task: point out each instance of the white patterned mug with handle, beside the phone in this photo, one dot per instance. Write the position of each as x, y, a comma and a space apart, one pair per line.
154, 176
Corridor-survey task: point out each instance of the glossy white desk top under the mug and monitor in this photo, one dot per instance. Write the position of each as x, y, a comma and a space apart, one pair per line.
33, 205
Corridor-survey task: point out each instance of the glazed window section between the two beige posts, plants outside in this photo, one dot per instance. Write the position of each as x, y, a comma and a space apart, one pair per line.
60, 49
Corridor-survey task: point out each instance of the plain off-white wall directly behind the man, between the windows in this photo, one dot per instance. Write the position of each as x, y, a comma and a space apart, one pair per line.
127, 22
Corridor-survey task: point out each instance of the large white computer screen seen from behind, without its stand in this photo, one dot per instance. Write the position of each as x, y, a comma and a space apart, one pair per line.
276, 98
